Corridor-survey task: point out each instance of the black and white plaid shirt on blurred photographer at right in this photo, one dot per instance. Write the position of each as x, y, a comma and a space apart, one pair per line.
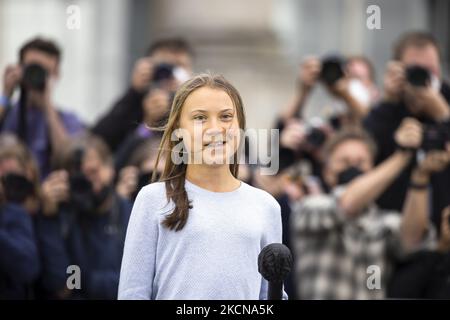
333, 252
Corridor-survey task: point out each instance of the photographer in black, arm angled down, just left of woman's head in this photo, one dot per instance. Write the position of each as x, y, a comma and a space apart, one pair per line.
155, 77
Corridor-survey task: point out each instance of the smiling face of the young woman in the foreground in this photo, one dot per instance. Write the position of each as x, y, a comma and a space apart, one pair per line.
209, 127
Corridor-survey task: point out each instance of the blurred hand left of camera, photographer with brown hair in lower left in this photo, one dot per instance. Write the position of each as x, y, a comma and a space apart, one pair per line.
55, 189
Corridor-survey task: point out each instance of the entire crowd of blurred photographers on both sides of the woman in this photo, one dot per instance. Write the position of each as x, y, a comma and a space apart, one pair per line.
363, 189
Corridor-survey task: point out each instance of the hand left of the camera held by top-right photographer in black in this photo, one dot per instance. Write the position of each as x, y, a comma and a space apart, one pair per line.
394, 80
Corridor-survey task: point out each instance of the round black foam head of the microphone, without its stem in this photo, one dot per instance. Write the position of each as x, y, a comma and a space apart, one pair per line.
275, 262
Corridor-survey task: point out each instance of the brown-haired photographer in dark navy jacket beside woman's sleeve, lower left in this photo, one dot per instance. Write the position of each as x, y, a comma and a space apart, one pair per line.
83, 222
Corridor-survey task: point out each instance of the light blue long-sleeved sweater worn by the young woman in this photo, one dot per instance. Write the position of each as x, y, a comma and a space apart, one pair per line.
215, 256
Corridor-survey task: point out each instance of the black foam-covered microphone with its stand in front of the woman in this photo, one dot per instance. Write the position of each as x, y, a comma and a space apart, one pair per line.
274, 264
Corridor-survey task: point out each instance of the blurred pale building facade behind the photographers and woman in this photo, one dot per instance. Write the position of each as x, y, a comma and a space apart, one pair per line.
257, 44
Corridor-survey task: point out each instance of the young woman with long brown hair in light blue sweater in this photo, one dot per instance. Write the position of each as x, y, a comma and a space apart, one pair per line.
197, 233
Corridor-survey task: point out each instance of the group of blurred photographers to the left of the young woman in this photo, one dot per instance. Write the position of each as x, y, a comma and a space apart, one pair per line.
67, 190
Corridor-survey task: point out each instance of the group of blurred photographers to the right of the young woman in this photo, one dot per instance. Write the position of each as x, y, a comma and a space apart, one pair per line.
365, 193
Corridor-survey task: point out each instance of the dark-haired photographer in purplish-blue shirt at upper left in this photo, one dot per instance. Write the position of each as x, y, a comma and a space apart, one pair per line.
35, 119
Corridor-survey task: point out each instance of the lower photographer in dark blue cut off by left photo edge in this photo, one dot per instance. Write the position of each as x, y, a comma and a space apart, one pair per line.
19, 259
